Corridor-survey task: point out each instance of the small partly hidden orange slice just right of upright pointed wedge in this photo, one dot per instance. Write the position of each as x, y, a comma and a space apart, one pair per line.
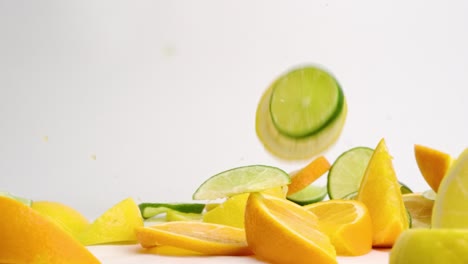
420, 209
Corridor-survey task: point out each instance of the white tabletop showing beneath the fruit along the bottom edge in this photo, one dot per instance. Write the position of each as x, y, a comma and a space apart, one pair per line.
134, 254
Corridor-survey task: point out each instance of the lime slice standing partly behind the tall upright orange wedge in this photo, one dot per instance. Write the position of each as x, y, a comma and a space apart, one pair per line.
345, 174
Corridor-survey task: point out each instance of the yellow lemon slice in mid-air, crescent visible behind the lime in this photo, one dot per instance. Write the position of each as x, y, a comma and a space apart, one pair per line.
290, 148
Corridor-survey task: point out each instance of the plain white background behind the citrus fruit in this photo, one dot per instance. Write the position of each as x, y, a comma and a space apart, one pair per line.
149, 98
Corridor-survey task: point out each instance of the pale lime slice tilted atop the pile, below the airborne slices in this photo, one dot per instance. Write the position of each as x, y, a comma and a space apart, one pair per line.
254, 178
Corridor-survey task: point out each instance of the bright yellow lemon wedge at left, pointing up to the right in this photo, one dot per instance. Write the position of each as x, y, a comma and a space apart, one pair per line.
116, 225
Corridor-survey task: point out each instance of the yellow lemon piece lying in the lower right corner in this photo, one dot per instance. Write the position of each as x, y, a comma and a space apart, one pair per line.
431, 246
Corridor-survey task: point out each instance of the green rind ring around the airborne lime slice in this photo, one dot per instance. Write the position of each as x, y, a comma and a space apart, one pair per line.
337, 107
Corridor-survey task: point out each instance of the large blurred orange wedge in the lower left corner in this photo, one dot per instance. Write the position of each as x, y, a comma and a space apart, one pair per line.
29, 237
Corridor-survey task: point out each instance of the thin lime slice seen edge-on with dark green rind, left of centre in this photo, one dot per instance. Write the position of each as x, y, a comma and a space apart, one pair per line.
149, 210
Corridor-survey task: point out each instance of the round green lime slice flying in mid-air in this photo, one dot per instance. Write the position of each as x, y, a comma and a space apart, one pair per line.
304, 101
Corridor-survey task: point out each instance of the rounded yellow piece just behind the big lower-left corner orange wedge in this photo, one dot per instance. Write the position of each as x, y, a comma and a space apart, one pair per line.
67, 217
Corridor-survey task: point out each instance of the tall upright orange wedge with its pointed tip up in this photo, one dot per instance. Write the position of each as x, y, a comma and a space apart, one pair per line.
380, 192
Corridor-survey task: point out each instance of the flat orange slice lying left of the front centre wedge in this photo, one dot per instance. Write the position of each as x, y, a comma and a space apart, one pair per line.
205, 238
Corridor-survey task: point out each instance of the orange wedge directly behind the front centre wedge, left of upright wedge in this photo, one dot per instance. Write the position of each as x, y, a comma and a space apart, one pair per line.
347, 223
